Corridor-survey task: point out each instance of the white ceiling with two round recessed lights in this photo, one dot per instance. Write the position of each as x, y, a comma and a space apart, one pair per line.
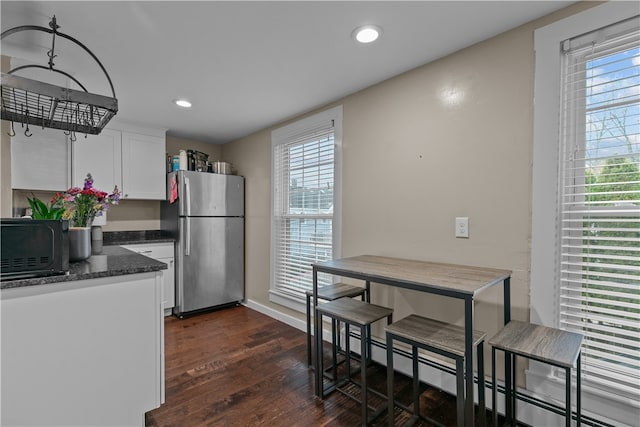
247, 65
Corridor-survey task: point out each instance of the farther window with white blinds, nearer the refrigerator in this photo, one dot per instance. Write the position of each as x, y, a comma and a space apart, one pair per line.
304, 200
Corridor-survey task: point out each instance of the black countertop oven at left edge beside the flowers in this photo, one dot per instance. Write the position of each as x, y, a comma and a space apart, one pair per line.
33, 248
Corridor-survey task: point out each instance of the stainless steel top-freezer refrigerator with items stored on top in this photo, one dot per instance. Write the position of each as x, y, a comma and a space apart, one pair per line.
207, 219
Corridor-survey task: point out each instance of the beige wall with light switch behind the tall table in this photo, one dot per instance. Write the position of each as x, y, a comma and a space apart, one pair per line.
450, 138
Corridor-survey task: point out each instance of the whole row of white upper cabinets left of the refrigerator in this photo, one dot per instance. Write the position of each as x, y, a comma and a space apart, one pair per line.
134, 159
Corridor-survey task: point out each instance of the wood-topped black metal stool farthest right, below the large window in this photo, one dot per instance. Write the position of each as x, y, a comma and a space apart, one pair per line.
543, 344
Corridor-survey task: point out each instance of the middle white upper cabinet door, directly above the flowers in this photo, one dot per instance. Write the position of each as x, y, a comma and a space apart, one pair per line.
100, 156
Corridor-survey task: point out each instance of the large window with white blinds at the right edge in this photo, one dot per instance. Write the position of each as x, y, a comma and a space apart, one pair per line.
599, 203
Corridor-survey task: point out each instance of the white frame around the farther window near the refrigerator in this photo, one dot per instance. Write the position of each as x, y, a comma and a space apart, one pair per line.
284, 135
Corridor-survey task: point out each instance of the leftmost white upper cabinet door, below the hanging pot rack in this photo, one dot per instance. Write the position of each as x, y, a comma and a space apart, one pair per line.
40, 162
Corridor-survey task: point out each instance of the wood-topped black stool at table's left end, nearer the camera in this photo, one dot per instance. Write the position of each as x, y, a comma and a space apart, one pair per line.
359, 314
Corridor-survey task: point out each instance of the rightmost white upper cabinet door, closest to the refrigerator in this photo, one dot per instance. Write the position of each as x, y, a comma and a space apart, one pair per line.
144, 172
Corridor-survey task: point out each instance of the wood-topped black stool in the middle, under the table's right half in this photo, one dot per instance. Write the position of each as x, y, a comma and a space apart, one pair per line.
441, 338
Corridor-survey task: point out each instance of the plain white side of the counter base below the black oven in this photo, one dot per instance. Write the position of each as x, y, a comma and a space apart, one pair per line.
82, 353
